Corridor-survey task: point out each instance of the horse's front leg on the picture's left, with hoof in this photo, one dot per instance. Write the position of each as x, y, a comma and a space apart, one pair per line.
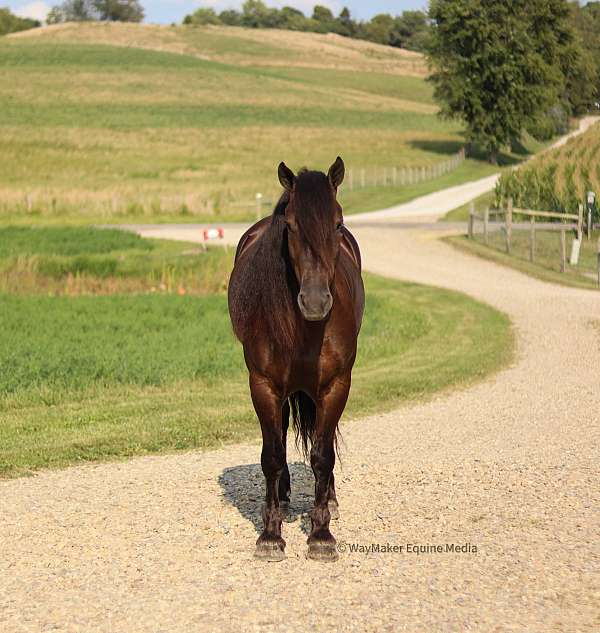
268, 406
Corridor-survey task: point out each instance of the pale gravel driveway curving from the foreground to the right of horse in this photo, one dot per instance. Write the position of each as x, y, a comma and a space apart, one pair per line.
509, 467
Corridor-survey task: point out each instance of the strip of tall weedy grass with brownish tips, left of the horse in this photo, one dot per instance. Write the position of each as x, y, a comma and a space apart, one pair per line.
80, 260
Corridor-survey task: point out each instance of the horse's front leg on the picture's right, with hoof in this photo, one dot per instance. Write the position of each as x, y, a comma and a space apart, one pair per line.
321, 544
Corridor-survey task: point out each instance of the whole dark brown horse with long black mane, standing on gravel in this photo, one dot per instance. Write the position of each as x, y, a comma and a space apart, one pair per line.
296, 302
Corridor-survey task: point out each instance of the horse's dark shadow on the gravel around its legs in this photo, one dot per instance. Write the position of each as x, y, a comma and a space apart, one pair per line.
244, 487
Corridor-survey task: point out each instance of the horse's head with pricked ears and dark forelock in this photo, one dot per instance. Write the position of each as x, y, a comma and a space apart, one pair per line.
314, 231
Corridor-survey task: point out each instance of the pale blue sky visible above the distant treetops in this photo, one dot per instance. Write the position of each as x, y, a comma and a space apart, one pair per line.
167, 11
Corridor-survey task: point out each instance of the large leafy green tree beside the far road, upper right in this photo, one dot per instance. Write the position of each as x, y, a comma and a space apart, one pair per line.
497, 64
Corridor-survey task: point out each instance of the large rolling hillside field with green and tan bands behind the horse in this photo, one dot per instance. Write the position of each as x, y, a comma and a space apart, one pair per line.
111, 122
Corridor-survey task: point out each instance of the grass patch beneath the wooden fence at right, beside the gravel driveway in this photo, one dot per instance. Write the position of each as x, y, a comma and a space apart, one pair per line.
547, 258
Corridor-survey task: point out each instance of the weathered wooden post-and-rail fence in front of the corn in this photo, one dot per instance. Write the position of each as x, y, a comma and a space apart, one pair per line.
507, 226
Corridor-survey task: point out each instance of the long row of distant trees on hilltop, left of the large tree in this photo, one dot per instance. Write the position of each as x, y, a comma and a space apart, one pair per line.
410, 30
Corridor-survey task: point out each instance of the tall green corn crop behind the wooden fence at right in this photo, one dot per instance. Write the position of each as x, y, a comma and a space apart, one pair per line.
557, 180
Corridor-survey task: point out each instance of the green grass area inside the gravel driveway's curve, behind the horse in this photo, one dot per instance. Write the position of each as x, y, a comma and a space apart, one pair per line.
86, 377
